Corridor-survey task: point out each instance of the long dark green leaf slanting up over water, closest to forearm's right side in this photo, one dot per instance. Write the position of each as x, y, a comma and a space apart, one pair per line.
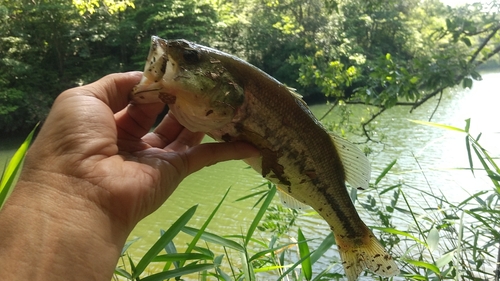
163, 241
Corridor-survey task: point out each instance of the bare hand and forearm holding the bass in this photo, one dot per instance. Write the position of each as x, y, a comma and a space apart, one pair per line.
91, 175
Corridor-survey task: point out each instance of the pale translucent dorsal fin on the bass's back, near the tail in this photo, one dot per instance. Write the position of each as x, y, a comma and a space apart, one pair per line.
356, 166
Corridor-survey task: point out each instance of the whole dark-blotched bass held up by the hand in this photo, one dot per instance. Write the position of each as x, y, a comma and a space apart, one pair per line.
229, 99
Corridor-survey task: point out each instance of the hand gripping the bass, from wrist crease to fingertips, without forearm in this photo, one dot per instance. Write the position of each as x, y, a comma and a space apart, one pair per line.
94, 138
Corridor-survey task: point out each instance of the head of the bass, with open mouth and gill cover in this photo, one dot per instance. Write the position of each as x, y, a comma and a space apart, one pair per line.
199, 90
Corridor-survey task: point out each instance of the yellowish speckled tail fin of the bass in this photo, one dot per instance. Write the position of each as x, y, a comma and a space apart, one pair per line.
369, 254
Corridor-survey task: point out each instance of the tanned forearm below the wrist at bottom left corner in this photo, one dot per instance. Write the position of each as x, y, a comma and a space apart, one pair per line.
47, 234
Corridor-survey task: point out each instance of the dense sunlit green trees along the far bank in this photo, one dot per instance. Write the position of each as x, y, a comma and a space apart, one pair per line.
383, 53
